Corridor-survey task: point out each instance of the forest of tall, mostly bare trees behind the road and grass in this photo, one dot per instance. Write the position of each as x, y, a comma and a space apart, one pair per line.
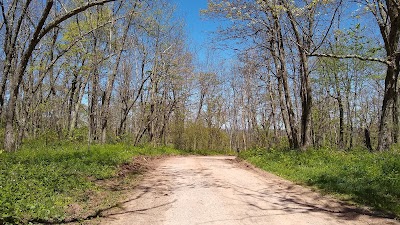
308, 73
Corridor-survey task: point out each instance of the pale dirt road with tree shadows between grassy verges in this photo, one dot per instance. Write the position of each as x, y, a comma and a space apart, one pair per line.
217, 190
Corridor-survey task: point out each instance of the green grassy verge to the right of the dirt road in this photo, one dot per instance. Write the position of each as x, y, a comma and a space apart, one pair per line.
371, 179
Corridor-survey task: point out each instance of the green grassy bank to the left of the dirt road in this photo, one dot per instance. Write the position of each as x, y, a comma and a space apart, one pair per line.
50, 183
